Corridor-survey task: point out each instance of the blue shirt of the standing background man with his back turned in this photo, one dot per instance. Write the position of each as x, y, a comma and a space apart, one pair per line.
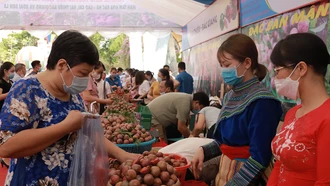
186, 82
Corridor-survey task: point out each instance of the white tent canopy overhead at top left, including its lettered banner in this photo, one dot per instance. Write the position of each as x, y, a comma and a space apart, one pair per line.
98, 14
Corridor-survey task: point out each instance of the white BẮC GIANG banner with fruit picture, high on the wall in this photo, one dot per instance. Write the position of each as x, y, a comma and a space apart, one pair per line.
219, 18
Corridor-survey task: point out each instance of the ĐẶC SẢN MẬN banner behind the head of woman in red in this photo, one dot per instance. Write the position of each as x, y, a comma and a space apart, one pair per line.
266, 34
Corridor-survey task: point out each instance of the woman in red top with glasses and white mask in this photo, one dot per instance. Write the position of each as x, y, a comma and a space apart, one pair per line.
301, 148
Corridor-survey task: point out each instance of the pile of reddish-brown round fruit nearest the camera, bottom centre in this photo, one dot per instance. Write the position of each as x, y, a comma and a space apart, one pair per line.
152, 169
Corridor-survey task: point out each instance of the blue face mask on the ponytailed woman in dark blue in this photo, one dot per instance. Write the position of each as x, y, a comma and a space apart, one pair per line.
230, 77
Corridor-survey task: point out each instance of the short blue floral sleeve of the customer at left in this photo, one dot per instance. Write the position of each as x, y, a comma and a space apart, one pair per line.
20, 110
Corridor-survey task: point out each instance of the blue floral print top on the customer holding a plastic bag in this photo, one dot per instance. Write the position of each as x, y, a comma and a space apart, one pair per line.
29, 106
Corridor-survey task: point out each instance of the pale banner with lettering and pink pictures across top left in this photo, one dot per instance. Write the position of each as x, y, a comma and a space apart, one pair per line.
77, 13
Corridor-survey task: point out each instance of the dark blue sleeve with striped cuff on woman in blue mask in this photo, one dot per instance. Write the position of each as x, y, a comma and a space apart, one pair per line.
264, 118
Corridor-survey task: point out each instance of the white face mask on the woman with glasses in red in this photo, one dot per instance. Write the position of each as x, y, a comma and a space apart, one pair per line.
288, 87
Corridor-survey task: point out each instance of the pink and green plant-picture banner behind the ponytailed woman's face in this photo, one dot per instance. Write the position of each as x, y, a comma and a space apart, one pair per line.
203, 65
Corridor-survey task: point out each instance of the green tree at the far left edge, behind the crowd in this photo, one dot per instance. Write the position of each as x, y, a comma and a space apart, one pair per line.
10, 46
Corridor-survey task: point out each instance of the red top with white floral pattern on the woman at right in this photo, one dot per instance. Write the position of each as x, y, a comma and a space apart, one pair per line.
301, 149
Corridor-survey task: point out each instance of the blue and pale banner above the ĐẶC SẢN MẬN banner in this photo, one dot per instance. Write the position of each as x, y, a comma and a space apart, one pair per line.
254, 10
